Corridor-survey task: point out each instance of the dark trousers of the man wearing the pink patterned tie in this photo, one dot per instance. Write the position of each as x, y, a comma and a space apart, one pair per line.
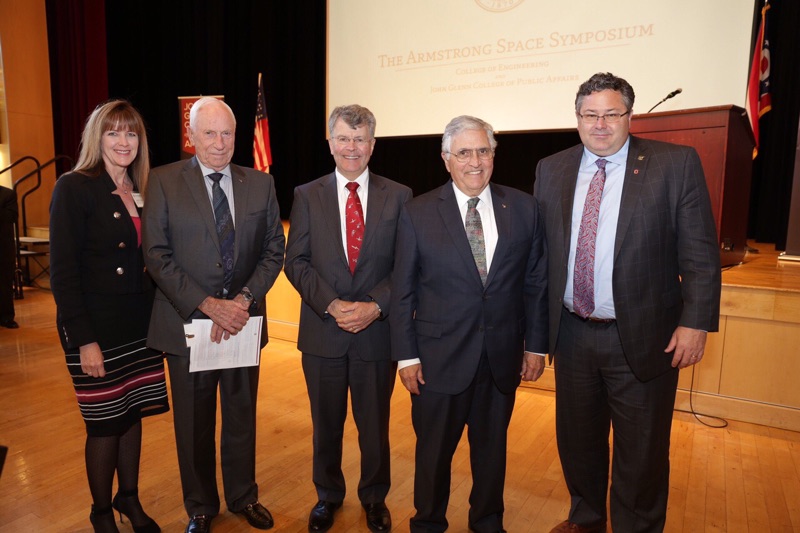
596, 390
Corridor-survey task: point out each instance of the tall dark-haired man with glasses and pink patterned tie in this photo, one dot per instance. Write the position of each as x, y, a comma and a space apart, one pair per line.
634, 288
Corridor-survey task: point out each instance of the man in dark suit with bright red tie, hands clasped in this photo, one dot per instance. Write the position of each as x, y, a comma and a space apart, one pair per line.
339, 257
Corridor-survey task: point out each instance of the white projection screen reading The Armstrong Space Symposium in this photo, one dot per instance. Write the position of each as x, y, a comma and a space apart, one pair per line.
518, 63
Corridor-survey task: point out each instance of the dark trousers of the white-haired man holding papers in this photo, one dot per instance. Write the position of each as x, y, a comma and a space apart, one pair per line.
194, 408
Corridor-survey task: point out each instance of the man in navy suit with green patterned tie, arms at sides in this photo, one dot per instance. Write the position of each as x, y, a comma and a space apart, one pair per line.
469, 320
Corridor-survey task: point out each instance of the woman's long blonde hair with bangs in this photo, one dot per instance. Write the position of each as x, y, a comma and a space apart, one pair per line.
117, 115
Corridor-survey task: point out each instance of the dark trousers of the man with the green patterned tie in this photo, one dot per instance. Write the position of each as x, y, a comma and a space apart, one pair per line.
439, 421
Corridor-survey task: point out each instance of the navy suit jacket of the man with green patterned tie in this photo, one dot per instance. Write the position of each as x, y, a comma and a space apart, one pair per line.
442, 313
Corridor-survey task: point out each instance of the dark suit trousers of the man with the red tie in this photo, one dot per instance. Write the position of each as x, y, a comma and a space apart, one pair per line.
370, 384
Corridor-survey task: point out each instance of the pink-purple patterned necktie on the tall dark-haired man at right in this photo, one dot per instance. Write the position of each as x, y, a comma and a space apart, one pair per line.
583, 281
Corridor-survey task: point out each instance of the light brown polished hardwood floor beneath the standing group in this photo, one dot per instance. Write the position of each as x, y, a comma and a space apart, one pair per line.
741, 478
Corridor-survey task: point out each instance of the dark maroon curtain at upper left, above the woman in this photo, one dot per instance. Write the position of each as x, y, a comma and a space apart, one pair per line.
78, 74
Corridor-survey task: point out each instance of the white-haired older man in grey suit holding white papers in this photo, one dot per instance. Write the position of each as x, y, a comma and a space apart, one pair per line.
214, 244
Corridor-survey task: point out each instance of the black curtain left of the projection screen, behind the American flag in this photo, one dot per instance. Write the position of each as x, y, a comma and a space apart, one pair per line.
162, 50
